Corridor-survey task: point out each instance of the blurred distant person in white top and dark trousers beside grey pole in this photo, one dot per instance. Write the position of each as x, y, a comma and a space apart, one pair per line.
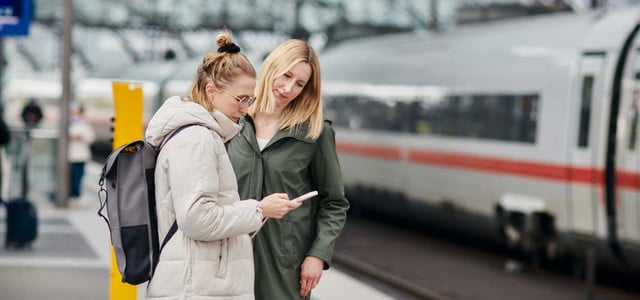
81, 135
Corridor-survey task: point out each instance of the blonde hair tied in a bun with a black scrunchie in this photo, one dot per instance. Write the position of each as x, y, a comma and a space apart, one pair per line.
220, 68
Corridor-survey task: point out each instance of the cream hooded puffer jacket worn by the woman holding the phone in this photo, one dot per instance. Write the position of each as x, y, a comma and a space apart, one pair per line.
210, 256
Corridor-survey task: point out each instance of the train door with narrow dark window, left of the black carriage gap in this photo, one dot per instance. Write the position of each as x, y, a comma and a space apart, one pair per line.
586, 157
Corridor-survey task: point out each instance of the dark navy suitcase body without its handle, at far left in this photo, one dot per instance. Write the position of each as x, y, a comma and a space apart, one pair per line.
22, 223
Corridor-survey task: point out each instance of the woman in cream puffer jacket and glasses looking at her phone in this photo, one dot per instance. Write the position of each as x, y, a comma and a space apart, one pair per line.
210, 254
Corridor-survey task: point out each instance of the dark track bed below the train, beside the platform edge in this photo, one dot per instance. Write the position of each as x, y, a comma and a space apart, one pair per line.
413, 263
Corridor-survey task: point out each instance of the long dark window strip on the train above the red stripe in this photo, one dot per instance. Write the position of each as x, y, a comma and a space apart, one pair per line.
498, 117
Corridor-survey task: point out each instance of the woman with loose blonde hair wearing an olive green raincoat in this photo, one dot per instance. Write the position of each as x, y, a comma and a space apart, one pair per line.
285, 145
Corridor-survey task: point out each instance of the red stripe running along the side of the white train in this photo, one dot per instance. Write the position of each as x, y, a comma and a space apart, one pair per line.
491, 164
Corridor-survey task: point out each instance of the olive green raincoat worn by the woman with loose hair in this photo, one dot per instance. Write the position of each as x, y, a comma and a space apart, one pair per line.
293, 164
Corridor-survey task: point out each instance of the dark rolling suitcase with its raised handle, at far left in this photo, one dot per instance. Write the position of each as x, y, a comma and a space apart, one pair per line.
22, 218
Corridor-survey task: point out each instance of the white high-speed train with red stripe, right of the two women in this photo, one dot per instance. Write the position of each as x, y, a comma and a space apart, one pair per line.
521, 132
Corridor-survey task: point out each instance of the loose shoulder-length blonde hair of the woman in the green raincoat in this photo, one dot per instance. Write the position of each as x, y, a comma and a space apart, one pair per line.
308, 105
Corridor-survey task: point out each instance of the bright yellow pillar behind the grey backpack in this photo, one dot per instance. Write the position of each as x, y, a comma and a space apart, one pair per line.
127, 127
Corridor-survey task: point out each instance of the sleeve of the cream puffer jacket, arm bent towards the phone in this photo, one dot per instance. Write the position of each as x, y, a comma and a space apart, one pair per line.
193, 174
